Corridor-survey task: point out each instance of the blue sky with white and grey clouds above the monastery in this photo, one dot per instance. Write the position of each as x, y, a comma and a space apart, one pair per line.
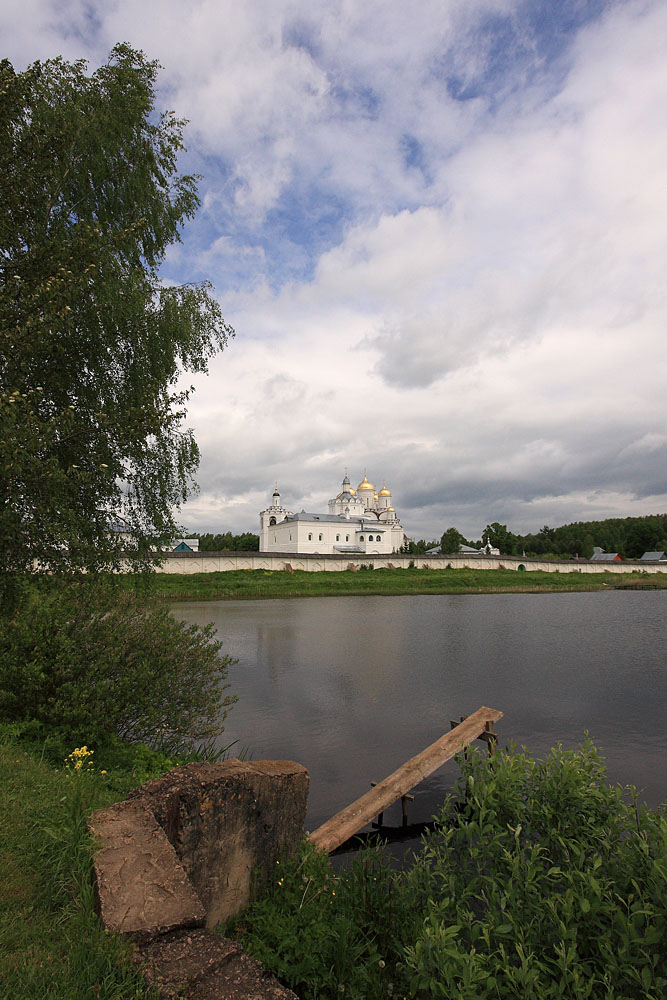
439, 229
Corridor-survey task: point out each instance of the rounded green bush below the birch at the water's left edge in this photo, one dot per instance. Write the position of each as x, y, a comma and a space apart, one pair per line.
93, 663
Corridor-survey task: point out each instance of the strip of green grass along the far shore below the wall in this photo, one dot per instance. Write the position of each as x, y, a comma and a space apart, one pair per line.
271, 583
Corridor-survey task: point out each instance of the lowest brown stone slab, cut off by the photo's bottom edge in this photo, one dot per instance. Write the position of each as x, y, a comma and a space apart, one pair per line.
200, 965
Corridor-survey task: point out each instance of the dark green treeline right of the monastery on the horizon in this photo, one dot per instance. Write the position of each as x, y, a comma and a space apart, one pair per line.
629, 536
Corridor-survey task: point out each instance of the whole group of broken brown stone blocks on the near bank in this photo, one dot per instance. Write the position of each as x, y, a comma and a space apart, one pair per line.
180, 852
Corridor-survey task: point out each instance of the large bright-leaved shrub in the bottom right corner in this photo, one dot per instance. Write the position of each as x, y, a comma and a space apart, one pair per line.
547, 885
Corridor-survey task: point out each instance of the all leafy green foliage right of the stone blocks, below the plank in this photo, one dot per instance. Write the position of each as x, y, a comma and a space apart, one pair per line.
540, 882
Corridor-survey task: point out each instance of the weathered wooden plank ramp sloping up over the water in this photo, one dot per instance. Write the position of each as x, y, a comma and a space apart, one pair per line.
354, 817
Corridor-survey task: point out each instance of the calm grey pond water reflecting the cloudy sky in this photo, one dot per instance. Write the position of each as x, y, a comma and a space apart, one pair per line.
353, 687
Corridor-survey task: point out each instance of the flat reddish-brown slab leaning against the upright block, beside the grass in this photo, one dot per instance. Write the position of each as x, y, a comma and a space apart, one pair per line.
141, 887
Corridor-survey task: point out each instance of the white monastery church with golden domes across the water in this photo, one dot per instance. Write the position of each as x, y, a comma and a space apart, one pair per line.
361, 520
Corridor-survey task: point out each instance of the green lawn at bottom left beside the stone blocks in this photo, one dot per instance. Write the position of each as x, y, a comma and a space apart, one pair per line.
52, 944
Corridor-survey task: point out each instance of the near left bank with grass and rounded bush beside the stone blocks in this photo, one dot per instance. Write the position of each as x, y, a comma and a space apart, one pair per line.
99, 691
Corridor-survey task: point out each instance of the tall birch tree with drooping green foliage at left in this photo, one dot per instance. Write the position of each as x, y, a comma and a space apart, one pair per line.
91, 342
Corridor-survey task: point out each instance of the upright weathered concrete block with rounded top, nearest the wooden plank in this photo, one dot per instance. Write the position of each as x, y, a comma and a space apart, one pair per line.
227, 822
